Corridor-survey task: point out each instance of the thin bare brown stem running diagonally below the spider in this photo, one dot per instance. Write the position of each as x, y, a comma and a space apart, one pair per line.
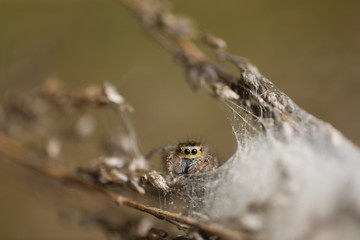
12, 150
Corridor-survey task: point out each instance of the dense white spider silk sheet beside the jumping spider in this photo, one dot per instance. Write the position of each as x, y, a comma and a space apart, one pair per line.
303, 186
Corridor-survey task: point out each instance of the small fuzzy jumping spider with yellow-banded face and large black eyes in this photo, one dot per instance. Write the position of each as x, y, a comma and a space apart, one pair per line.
187, 157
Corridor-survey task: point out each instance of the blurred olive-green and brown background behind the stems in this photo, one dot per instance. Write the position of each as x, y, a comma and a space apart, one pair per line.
309, 49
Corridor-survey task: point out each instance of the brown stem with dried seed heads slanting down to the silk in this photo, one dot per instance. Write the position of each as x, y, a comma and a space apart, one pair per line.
256, 95
